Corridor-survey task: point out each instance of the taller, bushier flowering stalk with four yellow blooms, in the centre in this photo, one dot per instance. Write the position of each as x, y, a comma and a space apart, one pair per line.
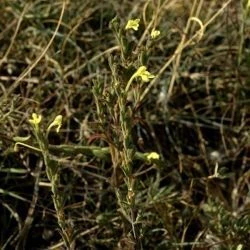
116, 111
